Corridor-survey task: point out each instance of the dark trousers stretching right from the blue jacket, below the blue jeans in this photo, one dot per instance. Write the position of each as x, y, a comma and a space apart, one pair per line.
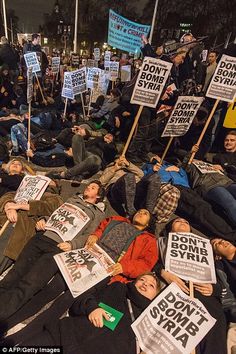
200, 213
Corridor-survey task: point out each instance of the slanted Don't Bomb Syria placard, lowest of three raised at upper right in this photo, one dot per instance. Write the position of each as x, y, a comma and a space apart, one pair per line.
182, 116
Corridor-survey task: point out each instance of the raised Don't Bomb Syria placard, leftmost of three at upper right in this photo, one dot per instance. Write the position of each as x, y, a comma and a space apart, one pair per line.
150, 82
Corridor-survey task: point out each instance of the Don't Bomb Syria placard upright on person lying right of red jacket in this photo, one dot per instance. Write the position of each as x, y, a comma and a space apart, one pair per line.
190, 257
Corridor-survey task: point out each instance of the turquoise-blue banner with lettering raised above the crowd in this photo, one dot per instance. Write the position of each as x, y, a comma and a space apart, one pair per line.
125, 34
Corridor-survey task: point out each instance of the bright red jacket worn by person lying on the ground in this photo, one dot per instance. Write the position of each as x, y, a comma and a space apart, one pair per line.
141, 255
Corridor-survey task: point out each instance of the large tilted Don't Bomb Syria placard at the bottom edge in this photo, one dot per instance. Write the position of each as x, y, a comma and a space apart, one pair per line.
173, 323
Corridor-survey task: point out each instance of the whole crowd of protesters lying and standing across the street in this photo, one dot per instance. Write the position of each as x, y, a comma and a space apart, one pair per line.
149, 198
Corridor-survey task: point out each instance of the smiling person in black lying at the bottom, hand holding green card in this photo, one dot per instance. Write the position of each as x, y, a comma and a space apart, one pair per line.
84, 331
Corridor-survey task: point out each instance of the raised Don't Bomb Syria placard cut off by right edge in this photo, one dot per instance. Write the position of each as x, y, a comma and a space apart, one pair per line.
223, 83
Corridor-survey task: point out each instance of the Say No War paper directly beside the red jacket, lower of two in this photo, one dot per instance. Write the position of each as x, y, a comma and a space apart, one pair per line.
83, 268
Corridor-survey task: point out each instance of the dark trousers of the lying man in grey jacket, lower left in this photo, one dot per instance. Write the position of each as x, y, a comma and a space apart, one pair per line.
31, 272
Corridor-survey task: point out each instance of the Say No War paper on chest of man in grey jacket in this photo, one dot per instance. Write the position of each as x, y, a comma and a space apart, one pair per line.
67, 221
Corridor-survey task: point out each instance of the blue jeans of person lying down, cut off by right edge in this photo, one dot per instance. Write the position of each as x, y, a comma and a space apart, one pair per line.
226, 198
